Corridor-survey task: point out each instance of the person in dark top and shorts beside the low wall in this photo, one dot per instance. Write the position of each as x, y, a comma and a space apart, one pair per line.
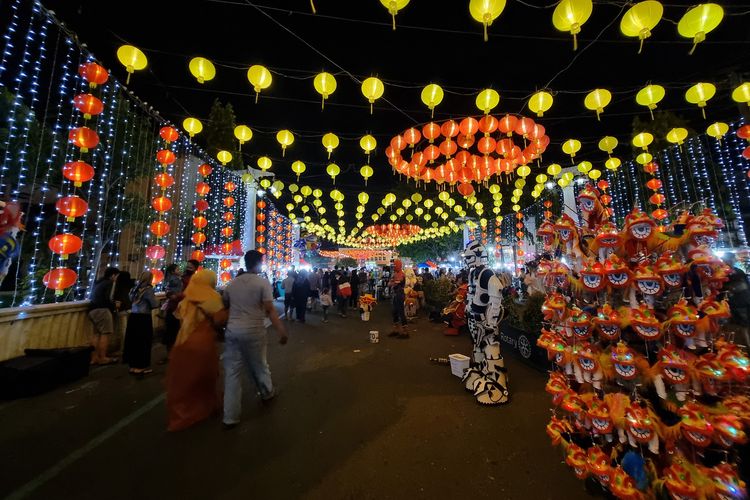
101, 308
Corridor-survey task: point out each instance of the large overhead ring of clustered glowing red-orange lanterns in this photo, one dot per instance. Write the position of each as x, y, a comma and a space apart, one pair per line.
466, 151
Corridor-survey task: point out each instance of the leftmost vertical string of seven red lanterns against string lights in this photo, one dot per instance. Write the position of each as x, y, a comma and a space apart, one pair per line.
77, 172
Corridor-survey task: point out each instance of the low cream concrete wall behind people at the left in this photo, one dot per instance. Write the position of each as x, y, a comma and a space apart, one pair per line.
65, 324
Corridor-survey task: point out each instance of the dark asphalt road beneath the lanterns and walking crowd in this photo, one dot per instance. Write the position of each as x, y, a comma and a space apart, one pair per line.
353, 420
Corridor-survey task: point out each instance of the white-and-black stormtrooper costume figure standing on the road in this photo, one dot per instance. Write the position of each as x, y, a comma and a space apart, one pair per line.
487, 377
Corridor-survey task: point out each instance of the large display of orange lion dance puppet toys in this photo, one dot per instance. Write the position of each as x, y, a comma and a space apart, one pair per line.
649, 391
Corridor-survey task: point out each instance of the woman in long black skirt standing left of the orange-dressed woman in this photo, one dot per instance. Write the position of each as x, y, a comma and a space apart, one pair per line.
139, 335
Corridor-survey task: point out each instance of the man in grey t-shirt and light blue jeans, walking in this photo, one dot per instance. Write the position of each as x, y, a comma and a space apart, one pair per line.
249, 299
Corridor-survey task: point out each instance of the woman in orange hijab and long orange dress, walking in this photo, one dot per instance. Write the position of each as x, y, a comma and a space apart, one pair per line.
193, 371
